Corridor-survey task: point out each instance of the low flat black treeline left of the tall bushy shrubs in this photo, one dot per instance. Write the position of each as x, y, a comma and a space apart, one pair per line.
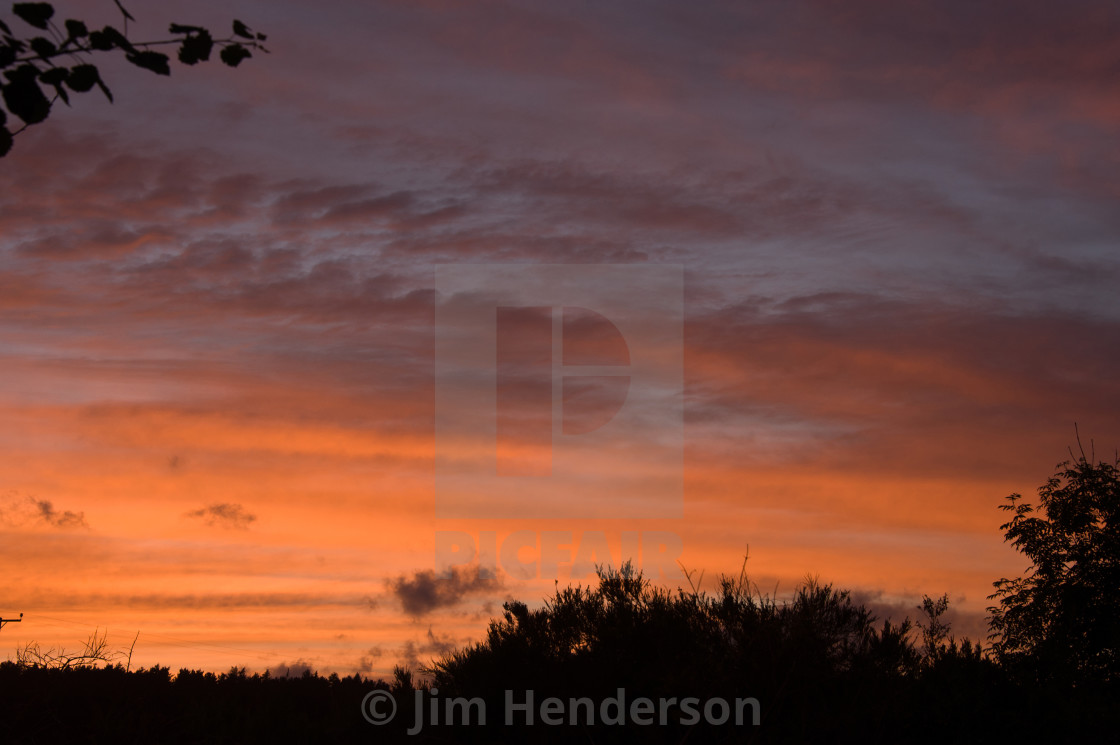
110, 705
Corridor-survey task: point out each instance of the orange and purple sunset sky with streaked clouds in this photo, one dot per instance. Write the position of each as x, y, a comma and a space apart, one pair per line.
897, 227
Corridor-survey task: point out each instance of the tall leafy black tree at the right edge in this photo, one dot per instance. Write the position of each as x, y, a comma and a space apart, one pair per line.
1061, 621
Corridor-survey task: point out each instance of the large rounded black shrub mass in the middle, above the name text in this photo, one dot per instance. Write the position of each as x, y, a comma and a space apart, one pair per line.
818, 665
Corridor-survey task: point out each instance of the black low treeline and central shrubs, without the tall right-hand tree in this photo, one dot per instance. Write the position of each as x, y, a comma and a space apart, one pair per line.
819, 666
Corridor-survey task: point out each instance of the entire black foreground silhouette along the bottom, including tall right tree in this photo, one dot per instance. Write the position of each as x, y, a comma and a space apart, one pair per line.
815, 668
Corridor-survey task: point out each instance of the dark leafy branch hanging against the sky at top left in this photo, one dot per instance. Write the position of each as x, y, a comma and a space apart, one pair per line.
33, 64
